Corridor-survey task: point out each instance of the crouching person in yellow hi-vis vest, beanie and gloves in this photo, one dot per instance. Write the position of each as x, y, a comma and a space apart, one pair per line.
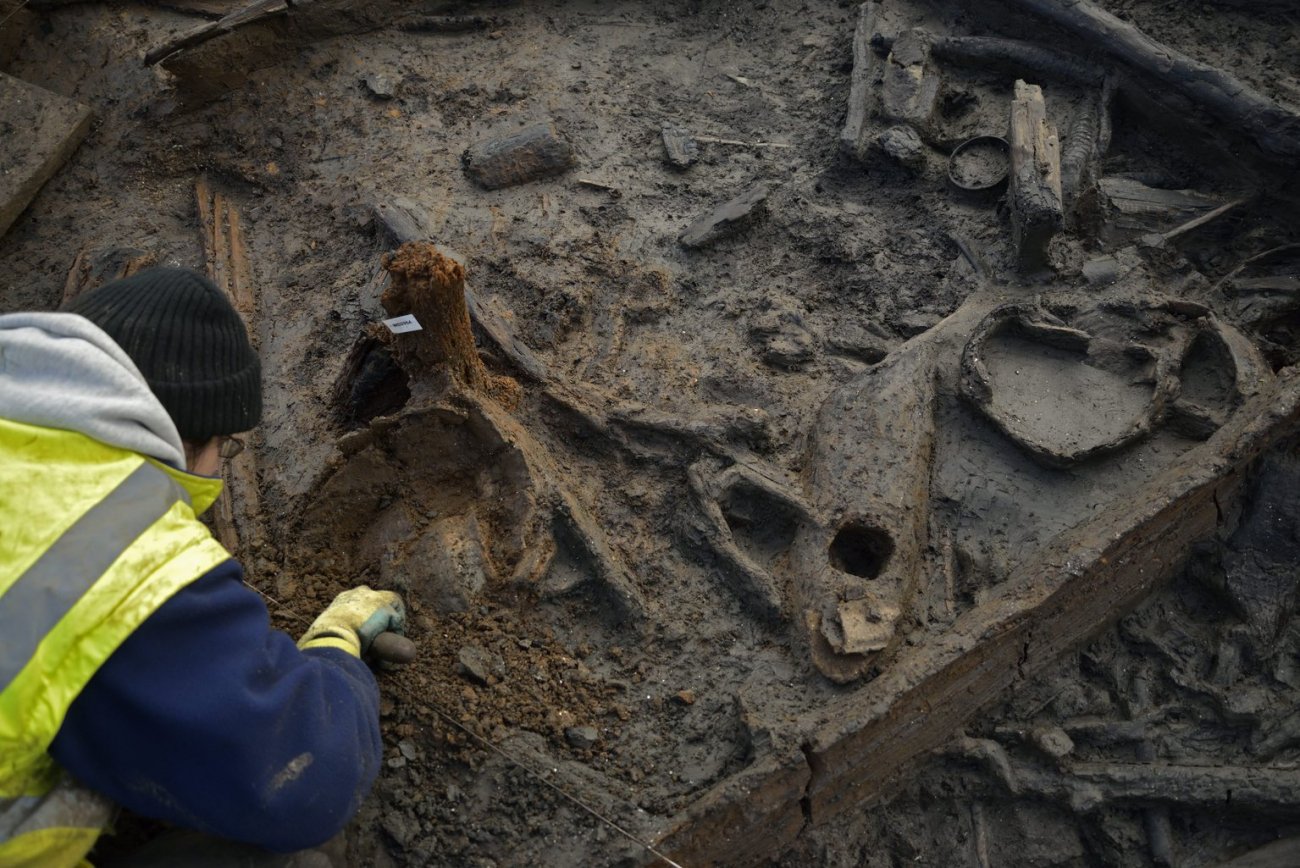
136, 667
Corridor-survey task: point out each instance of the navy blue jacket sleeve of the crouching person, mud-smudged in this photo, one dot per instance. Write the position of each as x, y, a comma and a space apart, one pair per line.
209, 719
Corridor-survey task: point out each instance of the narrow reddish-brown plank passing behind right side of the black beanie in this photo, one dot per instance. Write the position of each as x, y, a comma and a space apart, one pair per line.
237, 515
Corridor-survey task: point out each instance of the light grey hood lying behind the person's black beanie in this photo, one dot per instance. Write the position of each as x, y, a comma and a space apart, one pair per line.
62, 371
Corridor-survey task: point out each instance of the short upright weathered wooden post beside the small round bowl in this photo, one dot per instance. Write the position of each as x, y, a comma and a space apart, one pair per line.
1038, 211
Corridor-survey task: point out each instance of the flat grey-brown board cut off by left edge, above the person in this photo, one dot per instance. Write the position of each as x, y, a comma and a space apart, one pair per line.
40, 131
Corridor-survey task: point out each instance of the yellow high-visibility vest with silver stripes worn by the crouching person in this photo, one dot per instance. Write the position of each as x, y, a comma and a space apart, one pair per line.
93, 541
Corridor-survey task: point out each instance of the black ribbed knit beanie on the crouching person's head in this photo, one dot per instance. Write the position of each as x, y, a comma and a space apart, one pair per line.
190, 345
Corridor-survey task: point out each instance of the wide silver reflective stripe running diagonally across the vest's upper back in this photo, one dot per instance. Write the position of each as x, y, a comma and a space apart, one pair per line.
51, 587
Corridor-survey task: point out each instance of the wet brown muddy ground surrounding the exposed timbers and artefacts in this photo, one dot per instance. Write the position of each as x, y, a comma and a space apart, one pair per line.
844, 262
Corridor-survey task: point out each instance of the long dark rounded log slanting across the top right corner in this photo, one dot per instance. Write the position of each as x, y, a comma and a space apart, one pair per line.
1275, 128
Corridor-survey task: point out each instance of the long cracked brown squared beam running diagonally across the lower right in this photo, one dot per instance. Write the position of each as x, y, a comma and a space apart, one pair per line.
1085, 581
